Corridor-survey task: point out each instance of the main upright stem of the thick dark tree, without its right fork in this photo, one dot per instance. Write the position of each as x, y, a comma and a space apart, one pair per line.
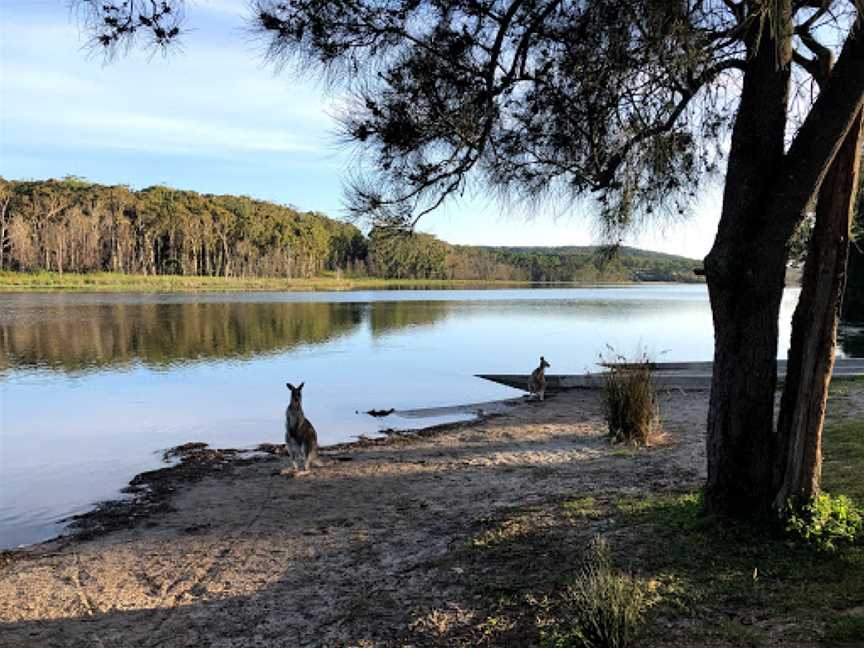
745, 272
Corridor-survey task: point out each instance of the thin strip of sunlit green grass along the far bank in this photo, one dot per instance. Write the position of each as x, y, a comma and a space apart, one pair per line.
117, 282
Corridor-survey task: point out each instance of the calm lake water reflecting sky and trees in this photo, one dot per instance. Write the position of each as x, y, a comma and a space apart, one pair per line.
93, 387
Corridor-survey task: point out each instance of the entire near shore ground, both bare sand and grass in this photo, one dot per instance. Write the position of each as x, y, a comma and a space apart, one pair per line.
453, 535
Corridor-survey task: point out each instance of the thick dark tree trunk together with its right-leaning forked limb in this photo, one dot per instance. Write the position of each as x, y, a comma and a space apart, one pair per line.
767, 192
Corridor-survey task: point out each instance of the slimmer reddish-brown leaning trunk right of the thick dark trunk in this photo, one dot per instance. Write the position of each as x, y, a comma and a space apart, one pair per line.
798, 454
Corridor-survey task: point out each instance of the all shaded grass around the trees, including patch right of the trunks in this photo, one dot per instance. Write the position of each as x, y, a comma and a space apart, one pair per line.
737, 581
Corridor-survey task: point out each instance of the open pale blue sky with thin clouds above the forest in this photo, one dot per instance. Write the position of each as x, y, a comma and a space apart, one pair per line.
212, 117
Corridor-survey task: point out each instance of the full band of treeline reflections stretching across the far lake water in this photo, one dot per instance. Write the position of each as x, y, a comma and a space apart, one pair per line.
76, 336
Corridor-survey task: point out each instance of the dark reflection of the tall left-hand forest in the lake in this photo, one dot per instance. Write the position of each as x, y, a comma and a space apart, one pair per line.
73, 337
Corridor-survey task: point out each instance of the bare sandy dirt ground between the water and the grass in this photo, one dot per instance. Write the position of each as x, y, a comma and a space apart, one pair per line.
352, 555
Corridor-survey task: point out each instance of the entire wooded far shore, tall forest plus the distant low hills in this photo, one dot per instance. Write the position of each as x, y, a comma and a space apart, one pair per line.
72, 225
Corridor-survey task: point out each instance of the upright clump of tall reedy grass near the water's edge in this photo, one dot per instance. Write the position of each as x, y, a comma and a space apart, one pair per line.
630, 404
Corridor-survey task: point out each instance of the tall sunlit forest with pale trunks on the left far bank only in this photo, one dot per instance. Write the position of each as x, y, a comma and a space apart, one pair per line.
75, 226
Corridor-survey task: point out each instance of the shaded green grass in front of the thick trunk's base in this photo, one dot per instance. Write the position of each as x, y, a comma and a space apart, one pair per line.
751, 575
